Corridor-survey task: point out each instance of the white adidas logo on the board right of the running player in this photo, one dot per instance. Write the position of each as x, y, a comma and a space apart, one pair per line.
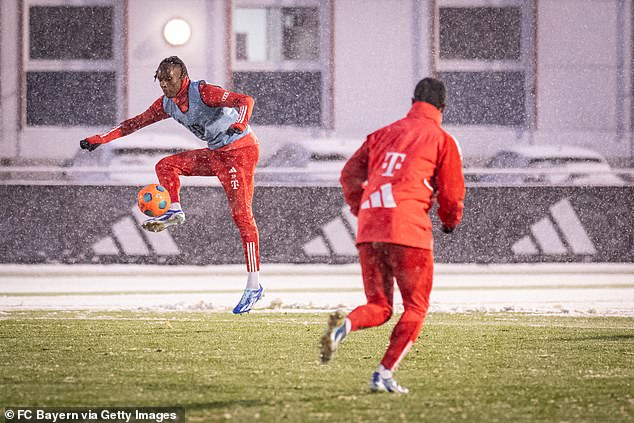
560, 232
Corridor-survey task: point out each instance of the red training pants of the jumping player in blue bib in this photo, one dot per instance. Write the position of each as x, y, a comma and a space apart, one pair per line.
235, 168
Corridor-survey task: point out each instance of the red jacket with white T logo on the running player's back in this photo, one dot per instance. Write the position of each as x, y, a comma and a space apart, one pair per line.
390, 183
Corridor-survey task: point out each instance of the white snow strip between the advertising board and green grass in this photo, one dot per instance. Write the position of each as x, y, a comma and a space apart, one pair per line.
578, 289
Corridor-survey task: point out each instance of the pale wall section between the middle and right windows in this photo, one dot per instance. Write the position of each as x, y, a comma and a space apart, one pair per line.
373, 65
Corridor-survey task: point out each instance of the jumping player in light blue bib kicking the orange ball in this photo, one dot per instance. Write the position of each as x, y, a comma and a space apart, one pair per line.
219, 118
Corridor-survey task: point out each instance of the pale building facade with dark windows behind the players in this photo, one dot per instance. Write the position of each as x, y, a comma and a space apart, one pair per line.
518, 71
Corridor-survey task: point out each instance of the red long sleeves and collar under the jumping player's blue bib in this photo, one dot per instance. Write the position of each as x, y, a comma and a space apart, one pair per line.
211, 95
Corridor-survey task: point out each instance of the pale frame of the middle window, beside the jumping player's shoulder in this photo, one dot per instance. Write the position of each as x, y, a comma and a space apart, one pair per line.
323, 64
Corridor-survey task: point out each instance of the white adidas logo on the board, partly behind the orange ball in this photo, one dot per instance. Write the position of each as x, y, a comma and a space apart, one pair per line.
131, 240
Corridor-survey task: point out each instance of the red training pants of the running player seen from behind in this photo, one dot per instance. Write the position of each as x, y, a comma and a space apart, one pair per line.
412, 268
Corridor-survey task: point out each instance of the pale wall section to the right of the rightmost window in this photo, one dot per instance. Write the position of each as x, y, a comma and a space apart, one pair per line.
583, 63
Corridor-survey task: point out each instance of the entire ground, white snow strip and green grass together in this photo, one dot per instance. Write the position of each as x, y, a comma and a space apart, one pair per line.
547, 343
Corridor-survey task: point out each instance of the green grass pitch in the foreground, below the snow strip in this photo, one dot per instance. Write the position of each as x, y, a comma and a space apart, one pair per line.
477, 367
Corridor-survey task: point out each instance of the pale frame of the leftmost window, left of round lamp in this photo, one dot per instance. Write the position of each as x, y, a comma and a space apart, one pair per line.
116, 64
